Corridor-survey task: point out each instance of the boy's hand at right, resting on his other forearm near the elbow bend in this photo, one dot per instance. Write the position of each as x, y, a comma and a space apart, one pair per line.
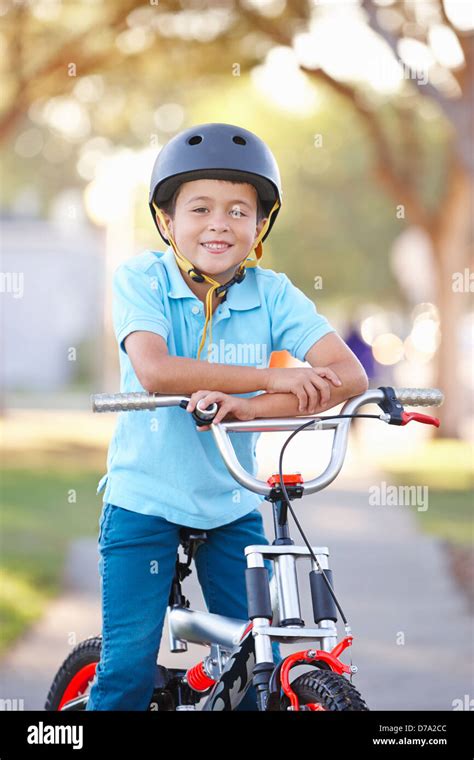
305, 383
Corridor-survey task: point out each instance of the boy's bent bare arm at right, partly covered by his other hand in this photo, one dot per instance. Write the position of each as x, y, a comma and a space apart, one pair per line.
330, 351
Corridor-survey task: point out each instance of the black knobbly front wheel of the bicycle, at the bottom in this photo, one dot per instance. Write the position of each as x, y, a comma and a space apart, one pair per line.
324, 690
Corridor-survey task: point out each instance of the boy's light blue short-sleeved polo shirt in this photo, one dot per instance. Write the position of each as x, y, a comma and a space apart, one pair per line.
158, 463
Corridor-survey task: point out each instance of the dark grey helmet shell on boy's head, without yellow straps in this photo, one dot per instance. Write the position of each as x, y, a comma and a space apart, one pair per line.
216, 151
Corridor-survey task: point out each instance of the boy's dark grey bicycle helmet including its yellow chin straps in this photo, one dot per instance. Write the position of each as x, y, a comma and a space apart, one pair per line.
216, 151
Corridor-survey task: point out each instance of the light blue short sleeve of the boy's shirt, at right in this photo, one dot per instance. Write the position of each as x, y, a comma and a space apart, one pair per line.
296, 323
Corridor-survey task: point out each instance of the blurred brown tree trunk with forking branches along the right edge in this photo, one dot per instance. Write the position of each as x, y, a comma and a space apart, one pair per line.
449, 224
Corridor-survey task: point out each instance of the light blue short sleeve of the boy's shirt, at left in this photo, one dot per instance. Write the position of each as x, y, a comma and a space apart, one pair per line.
137, 304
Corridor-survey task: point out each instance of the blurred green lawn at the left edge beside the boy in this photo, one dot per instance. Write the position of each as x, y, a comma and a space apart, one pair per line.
38, 520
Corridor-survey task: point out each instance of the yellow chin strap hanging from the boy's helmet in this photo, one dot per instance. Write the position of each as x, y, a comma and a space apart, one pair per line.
188, 267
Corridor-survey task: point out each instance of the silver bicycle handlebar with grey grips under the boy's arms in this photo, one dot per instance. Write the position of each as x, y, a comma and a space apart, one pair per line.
124, 402
